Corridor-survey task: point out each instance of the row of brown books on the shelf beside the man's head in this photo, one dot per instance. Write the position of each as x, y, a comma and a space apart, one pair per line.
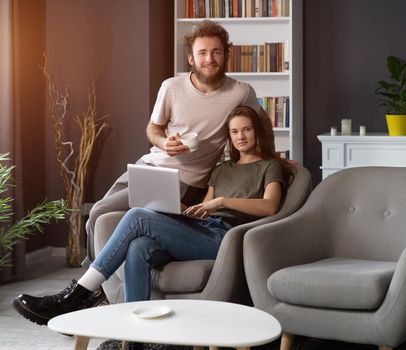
269, 57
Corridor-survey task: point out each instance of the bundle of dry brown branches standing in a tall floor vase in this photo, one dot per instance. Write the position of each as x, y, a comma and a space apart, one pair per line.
73, 163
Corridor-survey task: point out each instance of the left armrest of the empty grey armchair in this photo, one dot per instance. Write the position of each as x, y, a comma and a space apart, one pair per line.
300, 238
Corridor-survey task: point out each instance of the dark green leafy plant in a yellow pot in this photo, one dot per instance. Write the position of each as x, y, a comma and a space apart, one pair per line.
394, 96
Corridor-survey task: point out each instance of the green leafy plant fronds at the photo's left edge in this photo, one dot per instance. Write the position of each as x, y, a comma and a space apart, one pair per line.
30, 224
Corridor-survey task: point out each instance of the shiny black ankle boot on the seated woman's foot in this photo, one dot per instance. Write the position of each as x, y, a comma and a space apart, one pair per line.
41, 309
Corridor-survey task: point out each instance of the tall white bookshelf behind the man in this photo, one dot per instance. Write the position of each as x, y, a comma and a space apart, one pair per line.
258, 31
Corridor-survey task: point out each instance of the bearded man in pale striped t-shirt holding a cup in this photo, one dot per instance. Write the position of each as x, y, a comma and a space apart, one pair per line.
198, 101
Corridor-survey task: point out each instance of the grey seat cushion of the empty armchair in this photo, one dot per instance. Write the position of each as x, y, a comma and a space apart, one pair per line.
333, 283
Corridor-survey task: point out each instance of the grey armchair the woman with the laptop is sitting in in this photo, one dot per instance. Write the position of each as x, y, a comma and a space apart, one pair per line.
222, 279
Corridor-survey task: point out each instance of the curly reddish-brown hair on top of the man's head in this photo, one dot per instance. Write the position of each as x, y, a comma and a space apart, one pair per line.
208, 29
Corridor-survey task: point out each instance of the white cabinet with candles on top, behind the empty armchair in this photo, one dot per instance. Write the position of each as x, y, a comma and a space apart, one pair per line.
375, 149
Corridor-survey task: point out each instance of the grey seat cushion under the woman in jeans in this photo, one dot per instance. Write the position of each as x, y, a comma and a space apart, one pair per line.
182, 276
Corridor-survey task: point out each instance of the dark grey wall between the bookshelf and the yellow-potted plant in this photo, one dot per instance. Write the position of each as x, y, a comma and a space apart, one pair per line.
346, 43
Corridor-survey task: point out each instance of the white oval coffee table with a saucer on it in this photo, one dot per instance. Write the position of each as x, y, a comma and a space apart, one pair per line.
195, 323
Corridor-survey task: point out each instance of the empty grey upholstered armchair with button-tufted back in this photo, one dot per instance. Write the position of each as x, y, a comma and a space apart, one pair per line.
336, 269
